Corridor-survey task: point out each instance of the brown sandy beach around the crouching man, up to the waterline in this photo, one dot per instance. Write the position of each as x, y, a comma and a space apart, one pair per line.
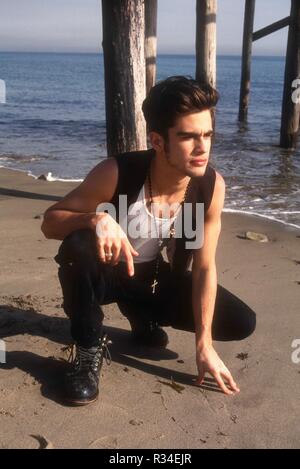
137, 407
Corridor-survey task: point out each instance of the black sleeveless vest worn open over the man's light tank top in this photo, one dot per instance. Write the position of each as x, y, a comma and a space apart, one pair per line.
133, 169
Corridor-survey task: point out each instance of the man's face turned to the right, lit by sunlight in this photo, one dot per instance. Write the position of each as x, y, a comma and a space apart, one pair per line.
189, 143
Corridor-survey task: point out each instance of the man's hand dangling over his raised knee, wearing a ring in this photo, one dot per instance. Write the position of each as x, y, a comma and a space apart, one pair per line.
111, 241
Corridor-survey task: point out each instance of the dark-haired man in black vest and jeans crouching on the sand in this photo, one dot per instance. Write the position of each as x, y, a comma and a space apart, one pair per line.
101, 261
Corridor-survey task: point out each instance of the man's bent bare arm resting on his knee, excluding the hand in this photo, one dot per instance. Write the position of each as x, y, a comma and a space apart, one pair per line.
77, 210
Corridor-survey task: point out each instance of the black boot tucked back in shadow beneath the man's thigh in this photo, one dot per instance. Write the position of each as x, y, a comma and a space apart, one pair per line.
148, 333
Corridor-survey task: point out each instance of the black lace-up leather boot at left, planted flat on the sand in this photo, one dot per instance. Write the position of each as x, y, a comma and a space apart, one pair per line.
82, 382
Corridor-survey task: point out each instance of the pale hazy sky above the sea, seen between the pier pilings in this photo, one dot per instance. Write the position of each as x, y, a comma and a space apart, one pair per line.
76, 26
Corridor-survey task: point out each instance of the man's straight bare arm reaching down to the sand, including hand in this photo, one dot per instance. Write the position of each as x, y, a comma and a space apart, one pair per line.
204, 278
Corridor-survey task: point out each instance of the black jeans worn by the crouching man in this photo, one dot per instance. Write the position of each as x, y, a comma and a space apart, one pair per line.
87, 284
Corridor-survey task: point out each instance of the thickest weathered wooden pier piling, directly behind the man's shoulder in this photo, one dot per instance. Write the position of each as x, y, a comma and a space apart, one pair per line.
125, 74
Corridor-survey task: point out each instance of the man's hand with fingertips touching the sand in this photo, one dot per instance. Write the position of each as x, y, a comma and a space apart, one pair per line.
209, 361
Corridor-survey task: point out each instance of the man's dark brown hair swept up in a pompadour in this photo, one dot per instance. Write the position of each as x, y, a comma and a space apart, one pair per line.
173, 97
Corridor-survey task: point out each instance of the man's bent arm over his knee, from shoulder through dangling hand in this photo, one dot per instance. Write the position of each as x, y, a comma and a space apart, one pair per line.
78, 211
